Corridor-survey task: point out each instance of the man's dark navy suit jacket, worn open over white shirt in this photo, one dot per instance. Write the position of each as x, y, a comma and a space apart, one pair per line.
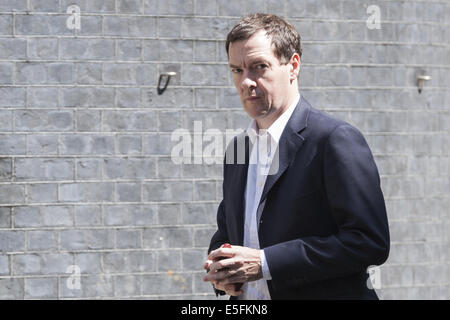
322, 217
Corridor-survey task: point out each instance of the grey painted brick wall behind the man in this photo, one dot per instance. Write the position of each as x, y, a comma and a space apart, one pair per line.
86, 177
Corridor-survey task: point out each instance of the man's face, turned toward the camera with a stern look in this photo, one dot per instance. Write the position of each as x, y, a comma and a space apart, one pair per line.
261, 81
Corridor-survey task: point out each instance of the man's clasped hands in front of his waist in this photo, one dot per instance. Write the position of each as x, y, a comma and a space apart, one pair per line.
231, 267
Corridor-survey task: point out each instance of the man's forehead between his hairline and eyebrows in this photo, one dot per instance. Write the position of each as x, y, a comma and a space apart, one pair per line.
257, 46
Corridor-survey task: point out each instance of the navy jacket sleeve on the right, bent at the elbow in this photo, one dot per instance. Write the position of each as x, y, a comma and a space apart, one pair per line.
355, 199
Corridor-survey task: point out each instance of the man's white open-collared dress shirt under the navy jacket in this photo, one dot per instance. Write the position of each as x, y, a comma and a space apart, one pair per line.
264, 143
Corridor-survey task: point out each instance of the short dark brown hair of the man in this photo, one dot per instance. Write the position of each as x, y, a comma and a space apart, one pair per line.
285, 38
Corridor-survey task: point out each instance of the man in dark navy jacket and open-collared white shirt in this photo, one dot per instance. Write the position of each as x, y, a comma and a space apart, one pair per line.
311, 226
